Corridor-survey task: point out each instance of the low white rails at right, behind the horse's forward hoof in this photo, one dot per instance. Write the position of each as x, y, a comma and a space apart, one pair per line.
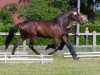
84, 54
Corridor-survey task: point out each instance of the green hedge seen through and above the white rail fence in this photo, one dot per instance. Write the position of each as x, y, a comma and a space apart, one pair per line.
44, 41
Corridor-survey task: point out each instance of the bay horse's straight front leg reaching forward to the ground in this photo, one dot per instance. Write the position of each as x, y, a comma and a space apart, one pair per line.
70, 47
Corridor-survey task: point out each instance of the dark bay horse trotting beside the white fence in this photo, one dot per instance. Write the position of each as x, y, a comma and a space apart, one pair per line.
54, 28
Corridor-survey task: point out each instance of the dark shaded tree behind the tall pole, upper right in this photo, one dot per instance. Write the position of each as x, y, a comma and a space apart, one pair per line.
87, 7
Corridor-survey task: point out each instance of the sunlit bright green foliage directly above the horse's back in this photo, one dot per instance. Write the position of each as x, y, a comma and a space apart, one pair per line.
39, 10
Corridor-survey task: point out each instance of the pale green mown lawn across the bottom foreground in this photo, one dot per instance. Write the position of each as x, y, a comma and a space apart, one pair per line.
60, 66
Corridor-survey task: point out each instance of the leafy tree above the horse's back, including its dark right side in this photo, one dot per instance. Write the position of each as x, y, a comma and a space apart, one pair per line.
43, 9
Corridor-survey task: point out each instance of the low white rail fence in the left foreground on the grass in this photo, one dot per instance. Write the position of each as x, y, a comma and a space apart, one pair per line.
6, 58
